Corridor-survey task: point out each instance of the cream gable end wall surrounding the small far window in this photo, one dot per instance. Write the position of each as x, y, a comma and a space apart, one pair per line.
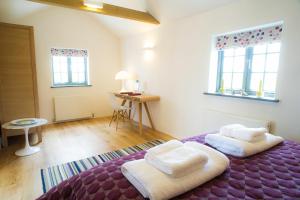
66, 28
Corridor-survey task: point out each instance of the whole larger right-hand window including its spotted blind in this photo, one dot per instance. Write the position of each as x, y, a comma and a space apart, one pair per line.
248, 62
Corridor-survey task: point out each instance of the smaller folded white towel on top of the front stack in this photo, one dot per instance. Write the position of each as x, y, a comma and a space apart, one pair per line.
179, 161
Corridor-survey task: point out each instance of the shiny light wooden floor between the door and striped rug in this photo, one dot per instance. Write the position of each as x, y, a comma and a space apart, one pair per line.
64, 142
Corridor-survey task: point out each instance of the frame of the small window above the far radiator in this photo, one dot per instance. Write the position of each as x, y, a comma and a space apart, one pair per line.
70, 82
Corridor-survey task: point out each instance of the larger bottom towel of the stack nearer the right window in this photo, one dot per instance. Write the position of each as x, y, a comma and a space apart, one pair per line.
241, 148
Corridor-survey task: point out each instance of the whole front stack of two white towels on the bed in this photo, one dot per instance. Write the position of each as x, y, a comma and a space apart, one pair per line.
173, 168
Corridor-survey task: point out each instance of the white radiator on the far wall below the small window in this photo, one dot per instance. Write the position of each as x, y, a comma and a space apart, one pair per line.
71, 108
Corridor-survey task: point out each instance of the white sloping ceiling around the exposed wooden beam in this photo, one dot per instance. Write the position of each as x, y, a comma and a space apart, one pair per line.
163, 10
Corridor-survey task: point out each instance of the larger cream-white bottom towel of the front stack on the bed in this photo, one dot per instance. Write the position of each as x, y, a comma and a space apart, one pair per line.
156, 185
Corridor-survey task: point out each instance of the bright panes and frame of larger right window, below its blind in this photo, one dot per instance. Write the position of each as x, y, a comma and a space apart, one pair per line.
247, 69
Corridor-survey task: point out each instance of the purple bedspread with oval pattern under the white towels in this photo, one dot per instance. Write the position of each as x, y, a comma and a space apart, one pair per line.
273, 174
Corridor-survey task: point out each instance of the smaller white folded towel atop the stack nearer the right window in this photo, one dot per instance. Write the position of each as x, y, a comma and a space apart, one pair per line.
243, 133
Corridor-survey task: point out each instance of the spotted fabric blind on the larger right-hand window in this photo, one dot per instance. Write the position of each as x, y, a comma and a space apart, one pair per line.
249, 38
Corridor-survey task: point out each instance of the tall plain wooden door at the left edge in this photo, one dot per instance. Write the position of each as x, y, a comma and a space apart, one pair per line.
18, 89
